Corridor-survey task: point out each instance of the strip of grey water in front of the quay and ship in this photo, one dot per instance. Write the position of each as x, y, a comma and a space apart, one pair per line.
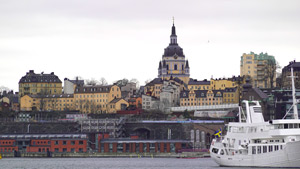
108, 163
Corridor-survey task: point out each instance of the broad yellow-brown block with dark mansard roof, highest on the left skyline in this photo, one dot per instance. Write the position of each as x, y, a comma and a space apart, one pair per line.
41, 84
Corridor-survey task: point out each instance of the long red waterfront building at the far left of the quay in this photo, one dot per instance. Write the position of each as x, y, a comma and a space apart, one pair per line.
44, 143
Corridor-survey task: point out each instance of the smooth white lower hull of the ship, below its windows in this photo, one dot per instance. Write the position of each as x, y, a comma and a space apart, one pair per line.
288, 157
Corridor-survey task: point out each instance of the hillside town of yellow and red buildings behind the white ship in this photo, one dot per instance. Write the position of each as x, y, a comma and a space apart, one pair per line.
172, 113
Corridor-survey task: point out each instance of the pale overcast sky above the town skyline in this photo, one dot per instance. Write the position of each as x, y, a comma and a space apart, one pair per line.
118, 39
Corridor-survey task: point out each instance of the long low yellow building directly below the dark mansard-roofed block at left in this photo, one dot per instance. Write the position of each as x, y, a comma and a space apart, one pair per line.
62, 102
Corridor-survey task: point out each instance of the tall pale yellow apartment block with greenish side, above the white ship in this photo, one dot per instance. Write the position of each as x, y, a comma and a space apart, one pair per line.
260, 68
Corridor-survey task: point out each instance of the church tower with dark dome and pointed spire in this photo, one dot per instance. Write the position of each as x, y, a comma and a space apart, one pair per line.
173, 62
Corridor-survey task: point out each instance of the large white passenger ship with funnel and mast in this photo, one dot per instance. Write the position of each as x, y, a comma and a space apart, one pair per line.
252, 142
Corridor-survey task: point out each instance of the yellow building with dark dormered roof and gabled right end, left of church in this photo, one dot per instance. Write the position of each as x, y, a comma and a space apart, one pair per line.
95, 99
